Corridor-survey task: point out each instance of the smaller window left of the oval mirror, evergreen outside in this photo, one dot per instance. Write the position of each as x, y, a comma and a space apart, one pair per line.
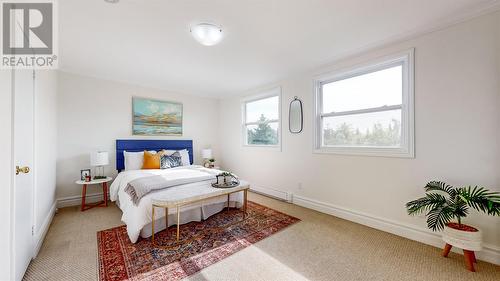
261, 119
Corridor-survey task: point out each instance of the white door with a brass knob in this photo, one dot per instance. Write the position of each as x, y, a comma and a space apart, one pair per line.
23, 160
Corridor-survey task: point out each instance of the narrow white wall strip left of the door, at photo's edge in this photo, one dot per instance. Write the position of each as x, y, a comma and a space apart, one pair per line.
6, 173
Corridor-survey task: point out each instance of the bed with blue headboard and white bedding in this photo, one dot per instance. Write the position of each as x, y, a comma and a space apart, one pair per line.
137, 217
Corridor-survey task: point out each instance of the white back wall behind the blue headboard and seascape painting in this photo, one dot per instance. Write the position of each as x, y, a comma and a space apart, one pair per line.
93, 113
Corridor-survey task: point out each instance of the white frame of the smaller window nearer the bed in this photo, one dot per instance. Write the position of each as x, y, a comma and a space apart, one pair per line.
273, 92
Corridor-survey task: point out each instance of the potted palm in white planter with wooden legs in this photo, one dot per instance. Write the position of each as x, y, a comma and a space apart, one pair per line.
444, 203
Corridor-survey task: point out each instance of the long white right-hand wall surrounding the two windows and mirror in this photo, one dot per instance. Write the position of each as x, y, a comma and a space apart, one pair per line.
457, 133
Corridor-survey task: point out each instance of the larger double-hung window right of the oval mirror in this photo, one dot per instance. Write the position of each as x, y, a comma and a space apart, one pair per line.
367, 110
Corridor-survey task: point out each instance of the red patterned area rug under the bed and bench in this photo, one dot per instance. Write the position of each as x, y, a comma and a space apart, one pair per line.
202, 244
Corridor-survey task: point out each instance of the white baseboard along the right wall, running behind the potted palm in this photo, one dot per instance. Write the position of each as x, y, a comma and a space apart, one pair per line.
489, 253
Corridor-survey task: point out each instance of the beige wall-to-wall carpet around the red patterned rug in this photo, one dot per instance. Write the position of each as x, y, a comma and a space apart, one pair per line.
320, 247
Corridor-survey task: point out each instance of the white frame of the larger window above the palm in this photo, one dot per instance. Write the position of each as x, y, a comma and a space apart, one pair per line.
407, 147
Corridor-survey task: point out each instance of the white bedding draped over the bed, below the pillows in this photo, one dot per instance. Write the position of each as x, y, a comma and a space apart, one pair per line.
138, 218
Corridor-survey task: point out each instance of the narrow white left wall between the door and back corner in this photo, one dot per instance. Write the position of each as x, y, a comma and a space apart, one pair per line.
45, 151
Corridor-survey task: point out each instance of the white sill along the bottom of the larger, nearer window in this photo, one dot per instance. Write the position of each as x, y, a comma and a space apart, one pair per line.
367, 151
